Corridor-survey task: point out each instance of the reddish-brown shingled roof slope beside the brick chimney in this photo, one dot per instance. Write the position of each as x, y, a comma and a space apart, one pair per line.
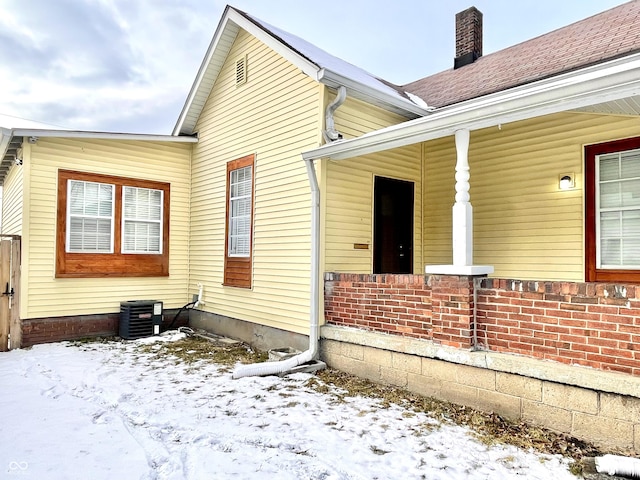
605, 36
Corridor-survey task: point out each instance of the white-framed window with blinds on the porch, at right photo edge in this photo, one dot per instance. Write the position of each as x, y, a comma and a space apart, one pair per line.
618, 210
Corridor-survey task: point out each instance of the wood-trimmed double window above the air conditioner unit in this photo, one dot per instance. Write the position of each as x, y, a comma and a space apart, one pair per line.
111, 226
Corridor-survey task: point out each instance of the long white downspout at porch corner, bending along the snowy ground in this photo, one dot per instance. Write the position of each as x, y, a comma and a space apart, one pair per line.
284, 366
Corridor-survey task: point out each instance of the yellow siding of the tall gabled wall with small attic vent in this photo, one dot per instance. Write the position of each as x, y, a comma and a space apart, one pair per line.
275, 116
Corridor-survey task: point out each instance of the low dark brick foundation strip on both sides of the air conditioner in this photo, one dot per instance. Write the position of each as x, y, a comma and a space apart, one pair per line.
56, 329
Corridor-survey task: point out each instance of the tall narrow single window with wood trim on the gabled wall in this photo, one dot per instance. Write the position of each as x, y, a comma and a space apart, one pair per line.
239, 223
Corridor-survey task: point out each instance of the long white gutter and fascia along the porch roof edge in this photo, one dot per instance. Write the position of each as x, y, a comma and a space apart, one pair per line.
611, 80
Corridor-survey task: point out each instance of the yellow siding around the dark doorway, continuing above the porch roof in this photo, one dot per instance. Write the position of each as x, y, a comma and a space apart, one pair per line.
349, 190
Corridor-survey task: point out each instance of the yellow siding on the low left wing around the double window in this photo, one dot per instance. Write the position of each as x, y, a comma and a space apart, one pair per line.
43, 294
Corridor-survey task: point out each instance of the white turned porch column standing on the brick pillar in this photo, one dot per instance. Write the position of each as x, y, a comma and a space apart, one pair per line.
462, 209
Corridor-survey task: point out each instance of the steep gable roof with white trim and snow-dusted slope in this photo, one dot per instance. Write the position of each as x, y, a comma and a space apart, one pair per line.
313, 61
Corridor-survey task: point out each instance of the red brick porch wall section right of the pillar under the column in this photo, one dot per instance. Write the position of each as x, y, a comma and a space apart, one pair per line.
596, 325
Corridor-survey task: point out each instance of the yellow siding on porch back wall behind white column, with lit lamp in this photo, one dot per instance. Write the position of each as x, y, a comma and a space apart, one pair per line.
523, 225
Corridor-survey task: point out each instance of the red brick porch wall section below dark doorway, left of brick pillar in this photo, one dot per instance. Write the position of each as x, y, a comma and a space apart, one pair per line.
398, 304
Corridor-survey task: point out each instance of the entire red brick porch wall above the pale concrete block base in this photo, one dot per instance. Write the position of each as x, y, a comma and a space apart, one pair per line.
589, 324
